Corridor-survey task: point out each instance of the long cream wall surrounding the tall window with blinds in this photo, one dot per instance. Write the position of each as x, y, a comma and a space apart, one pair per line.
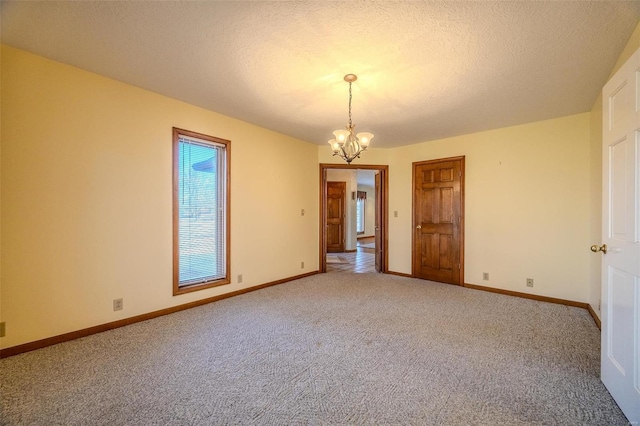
86, 199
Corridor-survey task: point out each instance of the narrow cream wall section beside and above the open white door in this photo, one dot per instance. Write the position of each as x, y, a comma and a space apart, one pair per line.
595, 205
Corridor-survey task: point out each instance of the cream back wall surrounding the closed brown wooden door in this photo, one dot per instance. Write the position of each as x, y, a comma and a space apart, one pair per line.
527, 205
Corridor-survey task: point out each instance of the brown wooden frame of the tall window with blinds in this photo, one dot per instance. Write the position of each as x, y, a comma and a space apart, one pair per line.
177, 288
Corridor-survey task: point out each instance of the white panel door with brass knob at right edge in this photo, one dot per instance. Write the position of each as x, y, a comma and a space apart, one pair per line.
620, 356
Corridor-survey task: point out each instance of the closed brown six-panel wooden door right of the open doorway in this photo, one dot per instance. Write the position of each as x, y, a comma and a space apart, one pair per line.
437, 203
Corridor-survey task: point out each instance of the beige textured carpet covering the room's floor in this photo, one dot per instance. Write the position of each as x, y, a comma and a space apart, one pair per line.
337, 349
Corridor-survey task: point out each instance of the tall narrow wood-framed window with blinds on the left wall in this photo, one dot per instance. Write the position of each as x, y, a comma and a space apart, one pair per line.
200, 211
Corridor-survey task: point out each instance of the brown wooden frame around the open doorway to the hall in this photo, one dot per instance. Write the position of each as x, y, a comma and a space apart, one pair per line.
384, 220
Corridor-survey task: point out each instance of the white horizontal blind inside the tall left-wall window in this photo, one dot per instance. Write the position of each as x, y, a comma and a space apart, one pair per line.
201, 199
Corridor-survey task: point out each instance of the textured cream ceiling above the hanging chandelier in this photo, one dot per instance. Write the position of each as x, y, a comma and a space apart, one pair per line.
426, 70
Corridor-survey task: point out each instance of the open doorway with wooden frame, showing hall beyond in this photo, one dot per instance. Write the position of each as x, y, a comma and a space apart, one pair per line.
353, 218
